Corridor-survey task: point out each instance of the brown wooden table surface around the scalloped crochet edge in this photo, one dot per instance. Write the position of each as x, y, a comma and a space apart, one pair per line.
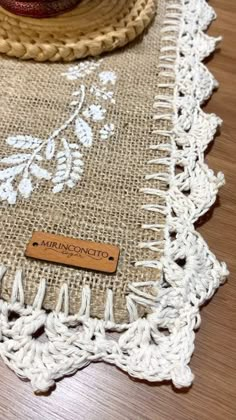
102, 392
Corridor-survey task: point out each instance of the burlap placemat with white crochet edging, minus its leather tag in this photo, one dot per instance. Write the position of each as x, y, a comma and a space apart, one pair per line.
108, 150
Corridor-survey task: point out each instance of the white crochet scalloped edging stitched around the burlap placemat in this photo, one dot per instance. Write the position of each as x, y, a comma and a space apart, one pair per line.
158, 347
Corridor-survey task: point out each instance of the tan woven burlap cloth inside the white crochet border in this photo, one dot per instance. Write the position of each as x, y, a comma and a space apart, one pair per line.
105, 204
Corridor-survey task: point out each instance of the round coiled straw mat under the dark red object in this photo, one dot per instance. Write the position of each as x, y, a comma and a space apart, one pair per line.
92, 27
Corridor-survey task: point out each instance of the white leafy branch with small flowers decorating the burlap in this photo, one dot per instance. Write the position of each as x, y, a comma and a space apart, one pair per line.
56, 158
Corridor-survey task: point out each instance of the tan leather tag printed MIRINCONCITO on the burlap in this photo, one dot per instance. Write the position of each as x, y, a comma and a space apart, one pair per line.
74, 252
